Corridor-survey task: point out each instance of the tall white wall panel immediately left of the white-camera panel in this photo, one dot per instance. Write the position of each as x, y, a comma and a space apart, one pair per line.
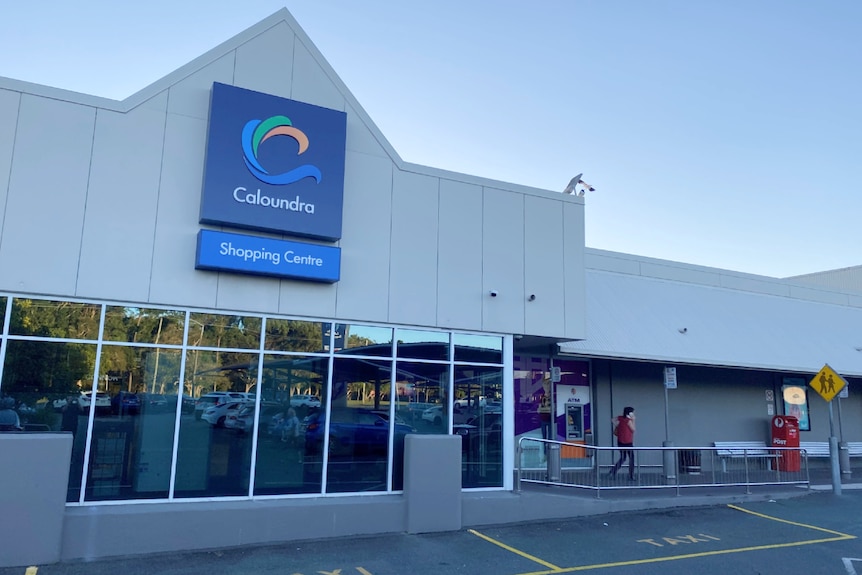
460, 292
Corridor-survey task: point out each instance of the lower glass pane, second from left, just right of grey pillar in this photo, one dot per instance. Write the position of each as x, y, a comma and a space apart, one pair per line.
130, 454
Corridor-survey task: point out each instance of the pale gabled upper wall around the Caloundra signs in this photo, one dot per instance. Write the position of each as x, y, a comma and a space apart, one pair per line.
100, 200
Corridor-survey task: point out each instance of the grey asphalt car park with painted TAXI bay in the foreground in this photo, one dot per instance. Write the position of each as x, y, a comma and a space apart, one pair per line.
817, 533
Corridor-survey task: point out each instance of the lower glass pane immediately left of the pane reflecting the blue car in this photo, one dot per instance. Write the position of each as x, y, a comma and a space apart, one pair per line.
292, 396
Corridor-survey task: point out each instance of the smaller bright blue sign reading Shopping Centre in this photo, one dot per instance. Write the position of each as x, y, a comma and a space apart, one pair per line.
221, 251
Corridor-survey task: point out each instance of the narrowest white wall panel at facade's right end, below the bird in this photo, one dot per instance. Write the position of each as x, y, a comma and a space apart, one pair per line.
574, 262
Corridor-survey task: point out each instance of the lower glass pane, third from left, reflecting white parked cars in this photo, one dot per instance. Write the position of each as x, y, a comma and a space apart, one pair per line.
212, 459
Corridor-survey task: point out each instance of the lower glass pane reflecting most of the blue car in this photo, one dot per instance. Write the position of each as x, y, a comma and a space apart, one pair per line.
359, 427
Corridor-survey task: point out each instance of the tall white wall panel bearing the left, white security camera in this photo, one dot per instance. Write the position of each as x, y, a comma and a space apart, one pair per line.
503, 261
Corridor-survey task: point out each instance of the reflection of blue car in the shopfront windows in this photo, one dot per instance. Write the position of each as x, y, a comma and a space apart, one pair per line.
353, 432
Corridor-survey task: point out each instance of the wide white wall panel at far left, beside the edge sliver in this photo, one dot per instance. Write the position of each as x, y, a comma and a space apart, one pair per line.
47, 196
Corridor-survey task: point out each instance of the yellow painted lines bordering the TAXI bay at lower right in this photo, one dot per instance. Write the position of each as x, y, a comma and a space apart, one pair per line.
555, 570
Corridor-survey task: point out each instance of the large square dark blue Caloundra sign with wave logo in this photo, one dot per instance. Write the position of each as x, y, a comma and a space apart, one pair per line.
273, 164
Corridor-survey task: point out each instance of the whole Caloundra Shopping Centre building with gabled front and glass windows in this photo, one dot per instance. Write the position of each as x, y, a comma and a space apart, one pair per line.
238, 306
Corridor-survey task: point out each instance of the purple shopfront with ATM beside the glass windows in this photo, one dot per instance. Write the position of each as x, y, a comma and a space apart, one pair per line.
536, 391
